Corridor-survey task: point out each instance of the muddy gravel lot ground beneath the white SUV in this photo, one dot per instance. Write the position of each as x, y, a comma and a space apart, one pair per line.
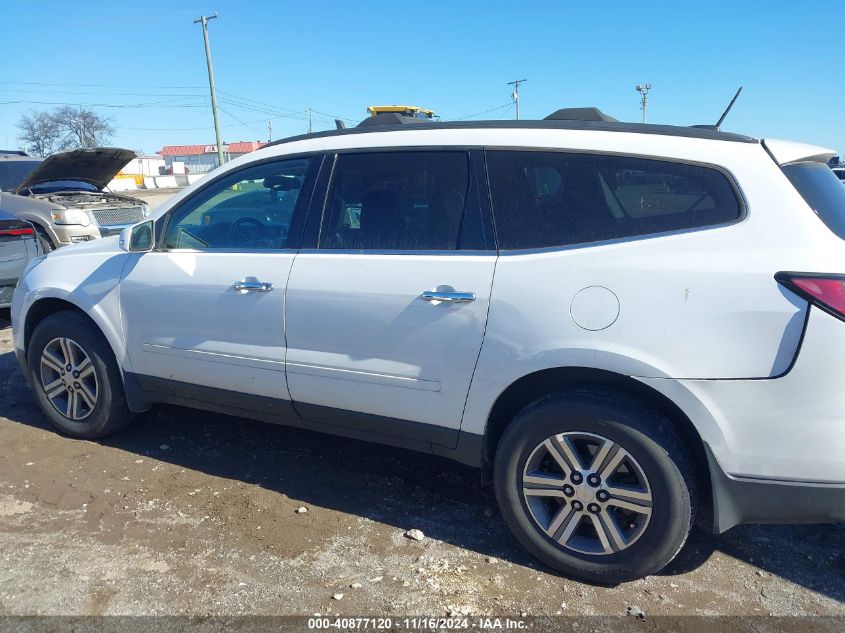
190, 512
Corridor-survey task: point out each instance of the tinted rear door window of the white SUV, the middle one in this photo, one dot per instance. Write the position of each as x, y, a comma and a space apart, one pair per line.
398, 201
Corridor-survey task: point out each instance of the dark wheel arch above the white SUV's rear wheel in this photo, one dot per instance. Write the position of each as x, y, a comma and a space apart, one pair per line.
539, 383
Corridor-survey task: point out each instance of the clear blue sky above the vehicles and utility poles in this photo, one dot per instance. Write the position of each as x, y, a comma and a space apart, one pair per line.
275, 59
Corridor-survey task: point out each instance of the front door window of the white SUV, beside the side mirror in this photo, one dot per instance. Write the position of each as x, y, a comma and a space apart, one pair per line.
252, 209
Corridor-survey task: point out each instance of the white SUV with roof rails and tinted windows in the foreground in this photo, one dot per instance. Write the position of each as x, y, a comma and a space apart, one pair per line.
630, 327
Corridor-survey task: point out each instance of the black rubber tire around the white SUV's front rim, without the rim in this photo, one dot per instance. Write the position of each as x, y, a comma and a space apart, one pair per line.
110, 412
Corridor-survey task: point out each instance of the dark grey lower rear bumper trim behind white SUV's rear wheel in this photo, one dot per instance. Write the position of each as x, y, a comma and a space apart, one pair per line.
739, 500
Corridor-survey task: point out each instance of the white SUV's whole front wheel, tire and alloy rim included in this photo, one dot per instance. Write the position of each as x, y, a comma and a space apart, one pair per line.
75, 376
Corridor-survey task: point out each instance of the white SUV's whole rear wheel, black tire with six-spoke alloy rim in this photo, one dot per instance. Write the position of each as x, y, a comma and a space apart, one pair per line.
595, 485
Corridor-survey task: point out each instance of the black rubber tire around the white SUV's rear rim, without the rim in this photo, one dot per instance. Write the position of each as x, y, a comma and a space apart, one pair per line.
646, 435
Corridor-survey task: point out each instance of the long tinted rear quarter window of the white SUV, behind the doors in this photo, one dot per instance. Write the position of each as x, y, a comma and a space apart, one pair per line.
545, 199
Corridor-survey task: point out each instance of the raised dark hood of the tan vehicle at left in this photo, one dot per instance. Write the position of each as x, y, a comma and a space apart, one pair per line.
95, 165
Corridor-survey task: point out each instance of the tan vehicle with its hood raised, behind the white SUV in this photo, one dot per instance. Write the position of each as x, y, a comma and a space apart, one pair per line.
65, 196
